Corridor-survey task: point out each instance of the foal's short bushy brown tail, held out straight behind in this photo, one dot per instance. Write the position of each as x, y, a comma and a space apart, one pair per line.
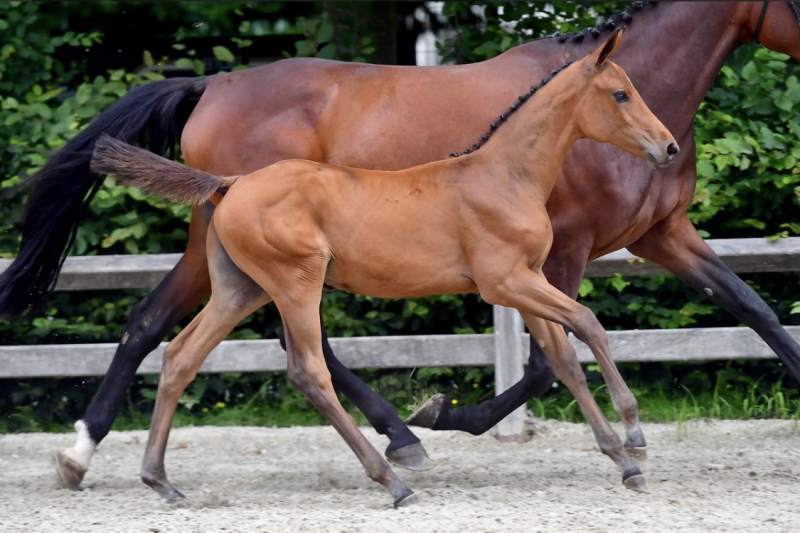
153, 174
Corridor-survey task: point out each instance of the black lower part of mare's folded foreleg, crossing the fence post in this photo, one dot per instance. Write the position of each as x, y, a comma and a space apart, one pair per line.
478, 419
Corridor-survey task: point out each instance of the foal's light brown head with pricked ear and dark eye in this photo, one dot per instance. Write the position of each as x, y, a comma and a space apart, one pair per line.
610, 110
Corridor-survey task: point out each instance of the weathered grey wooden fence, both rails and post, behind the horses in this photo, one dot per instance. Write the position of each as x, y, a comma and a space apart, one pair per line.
506, 349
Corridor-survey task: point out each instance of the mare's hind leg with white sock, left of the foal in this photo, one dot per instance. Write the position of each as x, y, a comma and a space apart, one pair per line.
151, 319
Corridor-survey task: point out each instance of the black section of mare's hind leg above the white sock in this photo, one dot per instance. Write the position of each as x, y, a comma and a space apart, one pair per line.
150, 320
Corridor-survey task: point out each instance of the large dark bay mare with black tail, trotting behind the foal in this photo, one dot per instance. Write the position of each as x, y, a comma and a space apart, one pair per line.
397, 117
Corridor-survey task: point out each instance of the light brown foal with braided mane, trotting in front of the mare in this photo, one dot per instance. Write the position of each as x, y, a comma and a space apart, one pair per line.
284, 232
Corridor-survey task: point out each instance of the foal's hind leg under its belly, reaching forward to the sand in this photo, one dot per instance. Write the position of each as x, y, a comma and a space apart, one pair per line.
307, 371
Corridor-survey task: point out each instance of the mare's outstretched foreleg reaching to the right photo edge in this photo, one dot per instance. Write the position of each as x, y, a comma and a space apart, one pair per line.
675, 244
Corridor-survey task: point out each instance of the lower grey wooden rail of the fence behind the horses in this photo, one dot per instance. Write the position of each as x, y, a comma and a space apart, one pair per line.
638, 346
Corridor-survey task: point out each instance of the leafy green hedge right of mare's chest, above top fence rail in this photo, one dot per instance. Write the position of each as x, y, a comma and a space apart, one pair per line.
747, 149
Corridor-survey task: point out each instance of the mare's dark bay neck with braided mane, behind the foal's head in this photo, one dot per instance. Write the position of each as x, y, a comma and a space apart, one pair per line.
669, 59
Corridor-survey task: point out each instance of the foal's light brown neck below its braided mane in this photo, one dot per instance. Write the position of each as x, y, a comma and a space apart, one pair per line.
532, 144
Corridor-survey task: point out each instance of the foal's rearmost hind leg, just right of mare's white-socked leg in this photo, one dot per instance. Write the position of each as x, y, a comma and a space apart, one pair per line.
234, 297
